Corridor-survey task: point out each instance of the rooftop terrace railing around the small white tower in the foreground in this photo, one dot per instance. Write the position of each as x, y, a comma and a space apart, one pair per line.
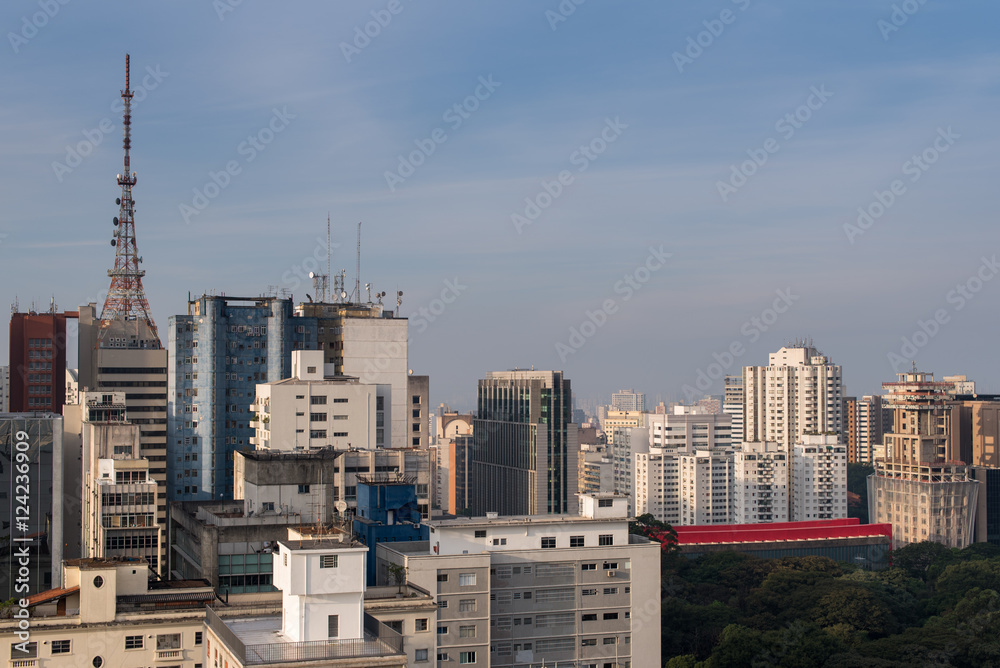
378, 640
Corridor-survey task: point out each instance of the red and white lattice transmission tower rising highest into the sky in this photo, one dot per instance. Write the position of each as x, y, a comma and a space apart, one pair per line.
126, 300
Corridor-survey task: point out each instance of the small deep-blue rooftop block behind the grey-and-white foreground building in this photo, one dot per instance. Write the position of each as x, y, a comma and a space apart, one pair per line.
387, 513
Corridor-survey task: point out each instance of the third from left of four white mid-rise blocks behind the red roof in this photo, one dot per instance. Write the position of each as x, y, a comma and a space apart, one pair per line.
761, 483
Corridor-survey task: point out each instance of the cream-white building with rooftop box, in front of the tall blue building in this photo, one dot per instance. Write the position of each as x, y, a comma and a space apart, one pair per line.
314, 409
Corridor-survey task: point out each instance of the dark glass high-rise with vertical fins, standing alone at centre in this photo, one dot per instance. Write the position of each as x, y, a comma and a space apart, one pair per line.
524, 461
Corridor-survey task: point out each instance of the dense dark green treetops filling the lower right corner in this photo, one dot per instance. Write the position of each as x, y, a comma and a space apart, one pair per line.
935, 606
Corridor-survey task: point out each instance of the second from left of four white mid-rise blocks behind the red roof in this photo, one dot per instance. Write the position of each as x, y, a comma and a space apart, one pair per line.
707, 487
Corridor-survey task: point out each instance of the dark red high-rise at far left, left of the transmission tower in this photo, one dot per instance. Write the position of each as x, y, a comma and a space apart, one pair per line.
37, 361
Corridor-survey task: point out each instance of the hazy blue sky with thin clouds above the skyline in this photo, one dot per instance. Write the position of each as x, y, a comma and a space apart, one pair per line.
556, 85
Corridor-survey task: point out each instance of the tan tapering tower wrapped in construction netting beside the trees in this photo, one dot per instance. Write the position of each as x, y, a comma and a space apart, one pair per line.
920, 487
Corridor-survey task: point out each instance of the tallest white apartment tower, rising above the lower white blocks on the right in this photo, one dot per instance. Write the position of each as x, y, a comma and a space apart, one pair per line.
798, 392
